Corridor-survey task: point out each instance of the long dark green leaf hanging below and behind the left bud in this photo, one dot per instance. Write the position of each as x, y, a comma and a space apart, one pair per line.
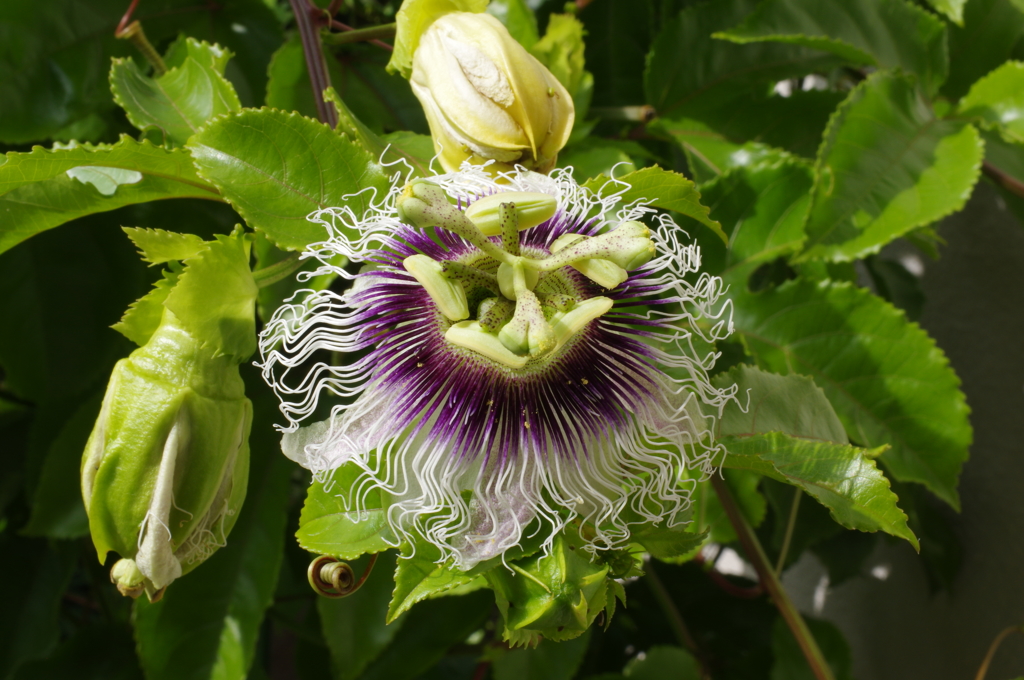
208, 622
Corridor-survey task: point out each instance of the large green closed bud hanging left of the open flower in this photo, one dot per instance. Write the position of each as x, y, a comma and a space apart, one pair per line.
165, 470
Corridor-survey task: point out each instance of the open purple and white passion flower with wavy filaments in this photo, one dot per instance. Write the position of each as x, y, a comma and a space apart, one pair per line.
524, 354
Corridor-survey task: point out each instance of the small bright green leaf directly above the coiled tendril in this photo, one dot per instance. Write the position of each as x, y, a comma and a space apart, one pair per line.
330, 525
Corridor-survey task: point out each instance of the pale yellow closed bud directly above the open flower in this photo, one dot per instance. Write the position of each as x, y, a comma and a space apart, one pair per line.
487, 99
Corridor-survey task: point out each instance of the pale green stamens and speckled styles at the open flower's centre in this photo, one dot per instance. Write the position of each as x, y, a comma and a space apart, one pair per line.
525, 306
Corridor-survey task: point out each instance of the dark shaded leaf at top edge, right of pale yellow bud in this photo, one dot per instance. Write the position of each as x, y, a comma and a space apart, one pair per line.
710, 74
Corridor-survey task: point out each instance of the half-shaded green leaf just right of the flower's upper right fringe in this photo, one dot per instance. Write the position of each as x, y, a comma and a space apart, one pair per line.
763, 211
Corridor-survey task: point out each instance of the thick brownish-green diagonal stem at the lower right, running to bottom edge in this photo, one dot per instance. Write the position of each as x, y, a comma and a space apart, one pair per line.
771, 580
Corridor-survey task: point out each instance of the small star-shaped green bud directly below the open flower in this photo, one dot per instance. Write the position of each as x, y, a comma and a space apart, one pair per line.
558, 596
